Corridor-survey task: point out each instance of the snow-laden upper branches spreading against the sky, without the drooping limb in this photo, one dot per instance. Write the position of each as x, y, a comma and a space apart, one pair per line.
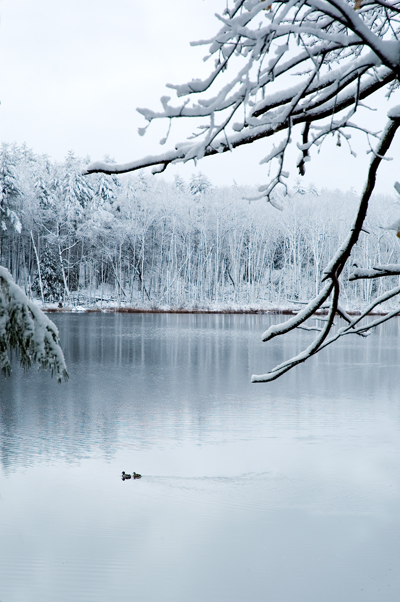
343, 53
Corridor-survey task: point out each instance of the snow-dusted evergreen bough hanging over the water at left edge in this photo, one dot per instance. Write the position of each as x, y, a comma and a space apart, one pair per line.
25, 328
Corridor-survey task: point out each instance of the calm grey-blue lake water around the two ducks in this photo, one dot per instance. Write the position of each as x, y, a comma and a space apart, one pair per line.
283, 492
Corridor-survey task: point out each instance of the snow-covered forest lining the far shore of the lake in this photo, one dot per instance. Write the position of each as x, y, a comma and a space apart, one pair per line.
139, 241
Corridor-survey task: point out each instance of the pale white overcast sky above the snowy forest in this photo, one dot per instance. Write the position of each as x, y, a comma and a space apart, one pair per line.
73, 73
